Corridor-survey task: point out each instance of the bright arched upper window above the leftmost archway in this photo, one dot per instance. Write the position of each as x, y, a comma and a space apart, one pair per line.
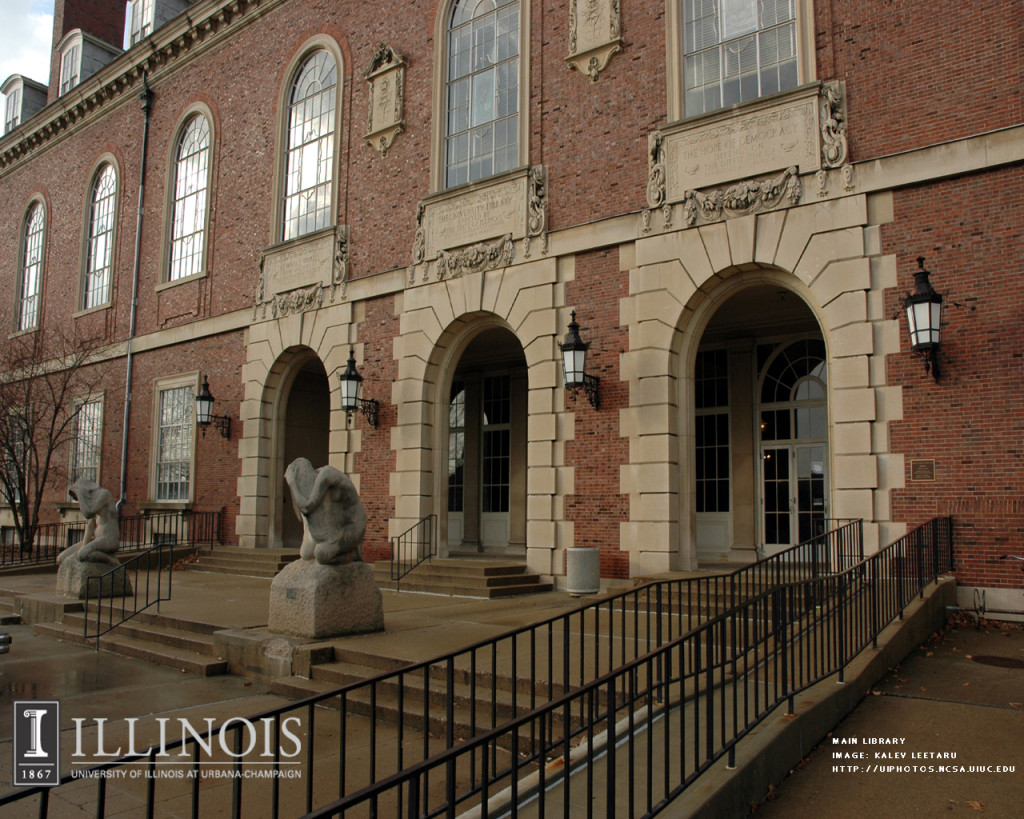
310, 168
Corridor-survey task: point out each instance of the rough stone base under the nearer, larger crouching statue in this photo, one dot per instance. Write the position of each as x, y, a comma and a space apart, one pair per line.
314, 601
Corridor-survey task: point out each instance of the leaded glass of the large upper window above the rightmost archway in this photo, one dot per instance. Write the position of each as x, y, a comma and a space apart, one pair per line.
737, 51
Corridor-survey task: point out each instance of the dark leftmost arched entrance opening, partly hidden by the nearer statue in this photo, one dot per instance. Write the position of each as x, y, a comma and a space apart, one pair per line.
305, 425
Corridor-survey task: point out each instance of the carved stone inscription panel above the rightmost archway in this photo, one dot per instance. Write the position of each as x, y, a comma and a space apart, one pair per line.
742, 147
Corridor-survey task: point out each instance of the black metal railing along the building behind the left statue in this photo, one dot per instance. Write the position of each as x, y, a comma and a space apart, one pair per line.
137, 532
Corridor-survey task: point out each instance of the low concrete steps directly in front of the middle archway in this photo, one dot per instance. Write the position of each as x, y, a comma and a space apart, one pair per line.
465, 578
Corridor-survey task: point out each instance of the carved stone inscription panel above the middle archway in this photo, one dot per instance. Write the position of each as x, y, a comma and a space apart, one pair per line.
476, 215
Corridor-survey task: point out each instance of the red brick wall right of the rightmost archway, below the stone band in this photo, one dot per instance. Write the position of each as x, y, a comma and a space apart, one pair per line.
970, 422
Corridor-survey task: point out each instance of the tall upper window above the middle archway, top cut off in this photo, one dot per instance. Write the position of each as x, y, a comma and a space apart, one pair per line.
483, 91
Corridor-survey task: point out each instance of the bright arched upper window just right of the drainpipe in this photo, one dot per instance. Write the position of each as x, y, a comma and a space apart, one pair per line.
189, 193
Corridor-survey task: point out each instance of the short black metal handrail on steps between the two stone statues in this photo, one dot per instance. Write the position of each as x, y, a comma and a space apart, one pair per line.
139, 584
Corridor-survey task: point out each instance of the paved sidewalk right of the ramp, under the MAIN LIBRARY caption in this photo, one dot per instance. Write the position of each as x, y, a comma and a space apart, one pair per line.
946, 699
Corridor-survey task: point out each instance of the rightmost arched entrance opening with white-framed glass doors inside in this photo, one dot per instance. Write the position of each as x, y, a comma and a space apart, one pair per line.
761, 465
